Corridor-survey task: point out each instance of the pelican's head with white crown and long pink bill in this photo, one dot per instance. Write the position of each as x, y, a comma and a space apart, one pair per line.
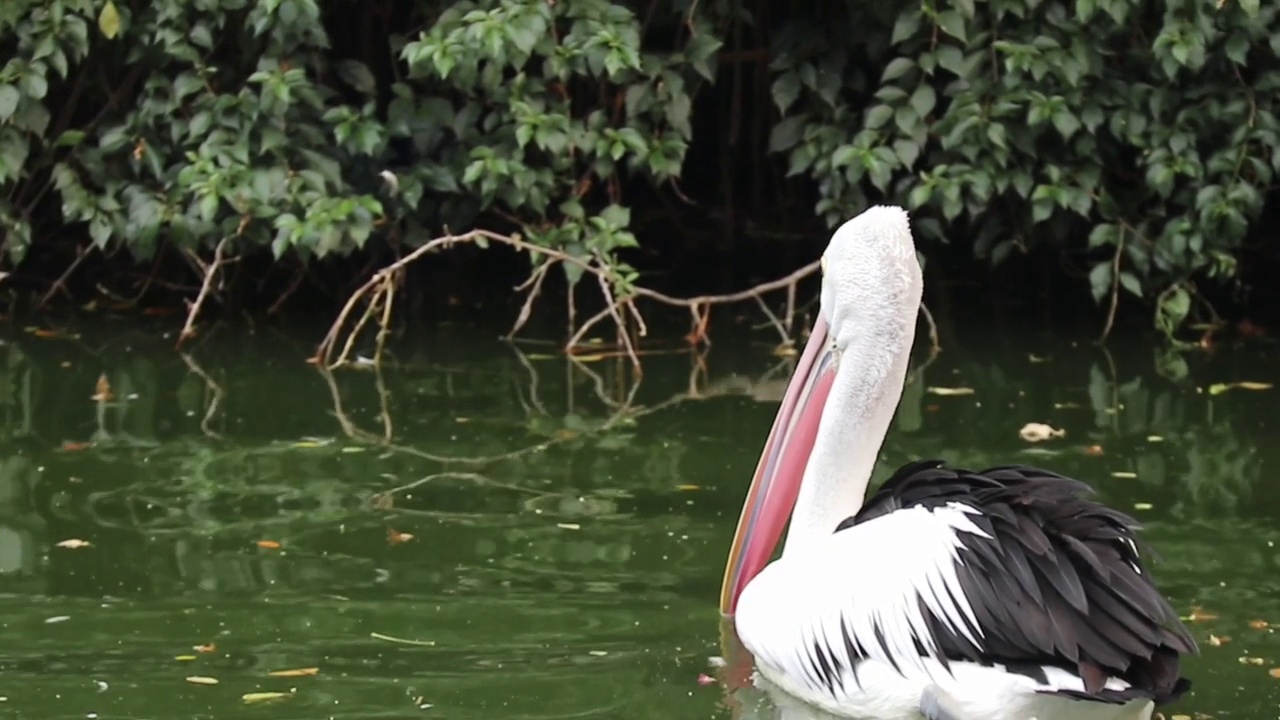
871, 297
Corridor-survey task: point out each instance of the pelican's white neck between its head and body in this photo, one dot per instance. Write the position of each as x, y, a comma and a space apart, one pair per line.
863, 399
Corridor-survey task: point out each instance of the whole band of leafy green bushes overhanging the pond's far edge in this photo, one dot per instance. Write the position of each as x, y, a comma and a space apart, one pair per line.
1136, 138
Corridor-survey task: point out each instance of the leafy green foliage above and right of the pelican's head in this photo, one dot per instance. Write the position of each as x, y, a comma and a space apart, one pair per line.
1136, 138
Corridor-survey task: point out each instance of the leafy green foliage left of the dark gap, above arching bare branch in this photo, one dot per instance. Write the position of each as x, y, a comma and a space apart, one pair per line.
241, 120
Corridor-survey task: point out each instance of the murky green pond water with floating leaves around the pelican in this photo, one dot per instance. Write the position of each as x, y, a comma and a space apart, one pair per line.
569, 527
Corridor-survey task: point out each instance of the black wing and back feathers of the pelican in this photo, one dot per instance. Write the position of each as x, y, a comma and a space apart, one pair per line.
1060, 582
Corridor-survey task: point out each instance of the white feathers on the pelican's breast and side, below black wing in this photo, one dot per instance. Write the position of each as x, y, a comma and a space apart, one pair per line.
868, 576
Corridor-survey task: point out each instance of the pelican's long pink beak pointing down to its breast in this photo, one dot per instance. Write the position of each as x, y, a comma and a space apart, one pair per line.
778, 479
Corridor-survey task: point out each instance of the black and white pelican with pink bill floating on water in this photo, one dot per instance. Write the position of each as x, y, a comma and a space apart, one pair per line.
950, 595
